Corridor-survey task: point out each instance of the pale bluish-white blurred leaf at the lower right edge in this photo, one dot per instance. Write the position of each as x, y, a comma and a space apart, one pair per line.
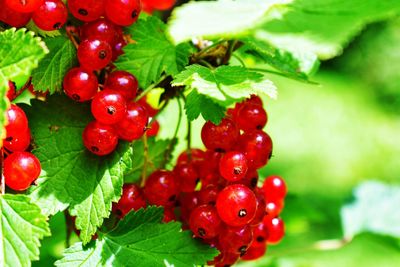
375, 210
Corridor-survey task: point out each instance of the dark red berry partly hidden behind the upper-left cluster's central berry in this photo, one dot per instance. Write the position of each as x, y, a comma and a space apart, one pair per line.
122, 82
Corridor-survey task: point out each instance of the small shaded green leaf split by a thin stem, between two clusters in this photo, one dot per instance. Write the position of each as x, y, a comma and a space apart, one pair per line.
156, 150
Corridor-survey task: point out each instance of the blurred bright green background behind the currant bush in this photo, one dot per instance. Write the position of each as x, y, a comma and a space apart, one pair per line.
328, 138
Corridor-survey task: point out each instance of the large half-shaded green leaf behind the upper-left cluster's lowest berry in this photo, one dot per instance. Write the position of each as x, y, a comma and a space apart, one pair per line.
72, 177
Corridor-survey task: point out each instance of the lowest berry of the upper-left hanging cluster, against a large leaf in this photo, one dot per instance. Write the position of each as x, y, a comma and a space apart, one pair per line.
100, 139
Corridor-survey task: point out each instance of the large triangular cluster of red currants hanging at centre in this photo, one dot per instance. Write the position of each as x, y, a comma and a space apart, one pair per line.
214, 192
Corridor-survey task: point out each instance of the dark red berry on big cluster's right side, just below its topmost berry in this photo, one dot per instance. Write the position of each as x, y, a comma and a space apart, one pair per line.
257, 147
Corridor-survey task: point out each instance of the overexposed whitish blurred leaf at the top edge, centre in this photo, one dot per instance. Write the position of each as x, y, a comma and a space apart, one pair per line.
214, 19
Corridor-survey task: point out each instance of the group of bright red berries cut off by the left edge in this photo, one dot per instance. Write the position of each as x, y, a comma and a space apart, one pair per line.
21, 168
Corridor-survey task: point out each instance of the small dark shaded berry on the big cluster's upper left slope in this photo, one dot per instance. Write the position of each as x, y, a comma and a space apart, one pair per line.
187, 177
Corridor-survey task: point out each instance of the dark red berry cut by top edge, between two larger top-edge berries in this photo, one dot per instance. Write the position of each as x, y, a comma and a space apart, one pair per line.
87, 10
